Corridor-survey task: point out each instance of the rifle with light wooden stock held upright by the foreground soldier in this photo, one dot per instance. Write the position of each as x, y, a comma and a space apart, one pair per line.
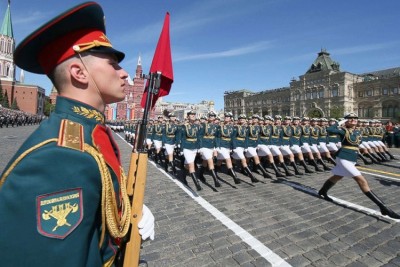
129, 252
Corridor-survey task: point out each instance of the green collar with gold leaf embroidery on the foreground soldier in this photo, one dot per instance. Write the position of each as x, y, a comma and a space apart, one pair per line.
79, 109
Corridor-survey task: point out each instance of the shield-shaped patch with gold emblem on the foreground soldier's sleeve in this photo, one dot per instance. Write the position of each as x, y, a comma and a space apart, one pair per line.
59, 213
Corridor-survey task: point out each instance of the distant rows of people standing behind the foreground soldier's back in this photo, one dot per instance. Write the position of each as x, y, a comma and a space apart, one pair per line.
15, 118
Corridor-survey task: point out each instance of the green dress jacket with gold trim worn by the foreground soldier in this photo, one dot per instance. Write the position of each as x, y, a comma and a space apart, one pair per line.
51, 192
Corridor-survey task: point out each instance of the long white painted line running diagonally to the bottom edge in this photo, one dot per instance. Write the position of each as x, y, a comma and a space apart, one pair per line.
255, 244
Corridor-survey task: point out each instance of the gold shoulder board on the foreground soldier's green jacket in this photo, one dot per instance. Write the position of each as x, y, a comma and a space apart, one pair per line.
71, 135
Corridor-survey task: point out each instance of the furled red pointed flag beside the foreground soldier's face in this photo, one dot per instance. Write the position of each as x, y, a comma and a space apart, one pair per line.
162, 61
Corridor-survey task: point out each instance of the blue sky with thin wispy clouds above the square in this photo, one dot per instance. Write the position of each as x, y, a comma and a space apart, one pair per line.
220, 45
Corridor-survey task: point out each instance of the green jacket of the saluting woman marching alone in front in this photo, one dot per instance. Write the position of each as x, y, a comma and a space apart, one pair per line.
351, 138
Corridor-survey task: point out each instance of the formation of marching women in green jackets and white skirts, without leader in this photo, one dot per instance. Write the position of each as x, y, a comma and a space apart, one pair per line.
250, 145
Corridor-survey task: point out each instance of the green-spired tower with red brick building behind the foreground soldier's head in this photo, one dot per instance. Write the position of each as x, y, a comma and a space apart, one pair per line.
29, 98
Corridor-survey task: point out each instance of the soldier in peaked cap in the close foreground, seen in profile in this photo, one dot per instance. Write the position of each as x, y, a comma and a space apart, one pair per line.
63, 199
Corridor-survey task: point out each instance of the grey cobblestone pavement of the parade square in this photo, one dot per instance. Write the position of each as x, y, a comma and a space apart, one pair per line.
271, 223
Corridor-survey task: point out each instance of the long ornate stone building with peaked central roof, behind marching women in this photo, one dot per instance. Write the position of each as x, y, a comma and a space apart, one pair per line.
325, 91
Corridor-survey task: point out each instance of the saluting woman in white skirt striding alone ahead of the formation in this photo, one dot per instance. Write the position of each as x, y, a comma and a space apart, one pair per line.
346, 160
